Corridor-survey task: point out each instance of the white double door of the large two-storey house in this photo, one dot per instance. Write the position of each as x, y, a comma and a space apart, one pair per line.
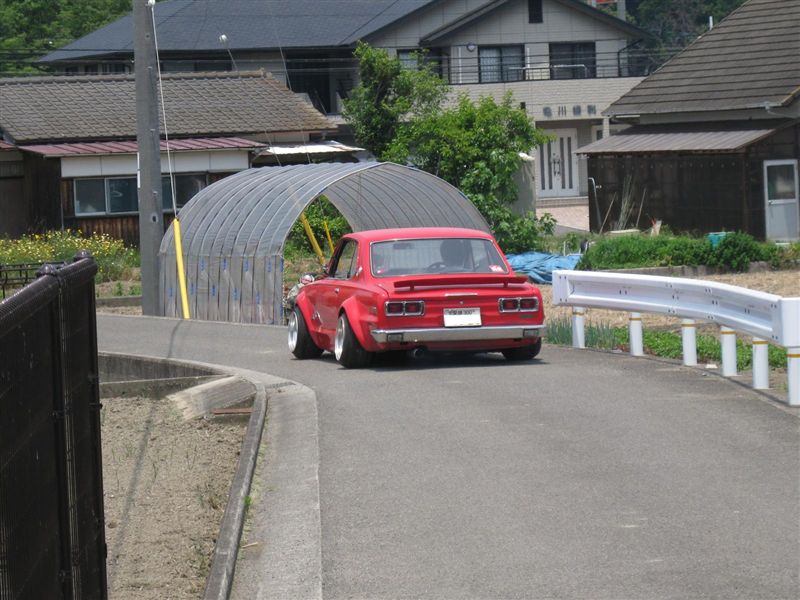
558, 165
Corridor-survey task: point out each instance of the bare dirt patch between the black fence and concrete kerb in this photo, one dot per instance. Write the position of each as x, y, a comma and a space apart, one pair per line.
166, 484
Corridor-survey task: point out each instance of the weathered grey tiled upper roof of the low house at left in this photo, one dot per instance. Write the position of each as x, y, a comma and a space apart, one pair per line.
49, 109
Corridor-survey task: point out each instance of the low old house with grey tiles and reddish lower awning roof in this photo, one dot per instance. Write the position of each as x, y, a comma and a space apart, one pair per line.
68, 156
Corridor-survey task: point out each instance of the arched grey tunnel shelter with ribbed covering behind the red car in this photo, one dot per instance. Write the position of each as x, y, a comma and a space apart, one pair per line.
234, 230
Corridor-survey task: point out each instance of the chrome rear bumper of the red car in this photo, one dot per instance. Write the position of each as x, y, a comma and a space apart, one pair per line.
457, 334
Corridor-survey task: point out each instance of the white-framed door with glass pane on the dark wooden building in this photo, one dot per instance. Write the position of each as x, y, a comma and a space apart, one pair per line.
782, 201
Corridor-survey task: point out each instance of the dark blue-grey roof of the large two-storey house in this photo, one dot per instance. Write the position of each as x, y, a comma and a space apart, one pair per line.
195, 25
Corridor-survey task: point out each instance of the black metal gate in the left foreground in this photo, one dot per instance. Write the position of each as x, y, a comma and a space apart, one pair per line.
52, 533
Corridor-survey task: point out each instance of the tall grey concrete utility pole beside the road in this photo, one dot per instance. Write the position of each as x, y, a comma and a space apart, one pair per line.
151, 222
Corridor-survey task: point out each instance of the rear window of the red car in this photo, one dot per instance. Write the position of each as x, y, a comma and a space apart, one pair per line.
435, 255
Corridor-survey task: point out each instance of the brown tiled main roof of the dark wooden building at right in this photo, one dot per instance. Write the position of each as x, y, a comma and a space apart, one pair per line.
750, 60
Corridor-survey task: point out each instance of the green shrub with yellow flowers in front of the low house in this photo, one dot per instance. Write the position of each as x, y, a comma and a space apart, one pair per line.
114, 260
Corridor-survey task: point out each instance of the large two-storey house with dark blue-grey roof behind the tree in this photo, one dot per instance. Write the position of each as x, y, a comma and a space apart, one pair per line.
564, 60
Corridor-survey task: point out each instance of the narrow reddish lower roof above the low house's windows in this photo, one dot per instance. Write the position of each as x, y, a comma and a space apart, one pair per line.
131, 147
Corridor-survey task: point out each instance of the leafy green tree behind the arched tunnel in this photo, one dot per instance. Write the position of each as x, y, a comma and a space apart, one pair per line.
403, 116
